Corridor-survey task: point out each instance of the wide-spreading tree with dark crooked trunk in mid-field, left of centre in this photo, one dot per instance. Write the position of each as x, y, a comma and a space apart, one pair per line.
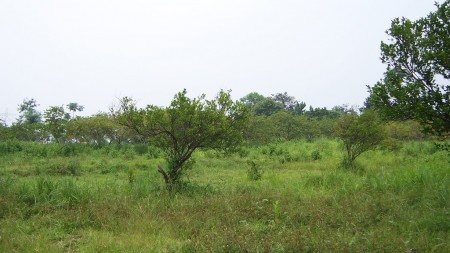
185, 126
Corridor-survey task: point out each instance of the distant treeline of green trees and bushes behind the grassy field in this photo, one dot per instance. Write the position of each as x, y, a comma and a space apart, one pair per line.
278, 117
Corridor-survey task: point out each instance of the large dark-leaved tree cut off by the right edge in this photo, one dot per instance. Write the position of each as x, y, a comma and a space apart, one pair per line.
415, 85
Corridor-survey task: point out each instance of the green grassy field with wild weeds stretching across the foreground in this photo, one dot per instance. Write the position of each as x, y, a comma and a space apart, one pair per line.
78, 199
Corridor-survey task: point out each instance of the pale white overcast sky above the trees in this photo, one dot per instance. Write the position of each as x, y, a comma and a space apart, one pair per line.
94, 51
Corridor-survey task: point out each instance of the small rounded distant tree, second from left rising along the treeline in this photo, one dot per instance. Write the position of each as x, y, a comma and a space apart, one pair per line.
55, 120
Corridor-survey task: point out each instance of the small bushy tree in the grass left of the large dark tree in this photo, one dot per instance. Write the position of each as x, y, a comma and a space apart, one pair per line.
359, 133
